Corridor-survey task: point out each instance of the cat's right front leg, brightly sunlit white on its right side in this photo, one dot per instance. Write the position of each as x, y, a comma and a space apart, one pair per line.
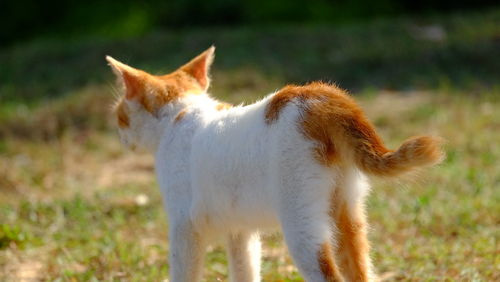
244, 251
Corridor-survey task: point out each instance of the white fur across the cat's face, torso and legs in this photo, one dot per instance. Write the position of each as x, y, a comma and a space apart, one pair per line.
227, 174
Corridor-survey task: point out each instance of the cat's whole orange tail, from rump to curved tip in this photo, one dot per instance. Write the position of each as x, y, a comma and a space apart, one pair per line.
372, 157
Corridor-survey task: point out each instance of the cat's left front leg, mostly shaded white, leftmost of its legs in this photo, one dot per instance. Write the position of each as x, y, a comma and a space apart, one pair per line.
187, 249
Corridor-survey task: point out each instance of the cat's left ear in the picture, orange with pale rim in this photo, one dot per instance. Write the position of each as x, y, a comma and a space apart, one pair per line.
129, 78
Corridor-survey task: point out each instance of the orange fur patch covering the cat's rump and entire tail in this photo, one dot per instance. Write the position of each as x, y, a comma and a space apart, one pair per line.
341, 130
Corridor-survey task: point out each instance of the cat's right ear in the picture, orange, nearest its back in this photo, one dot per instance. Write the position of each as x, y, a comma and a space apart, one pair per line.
199, 67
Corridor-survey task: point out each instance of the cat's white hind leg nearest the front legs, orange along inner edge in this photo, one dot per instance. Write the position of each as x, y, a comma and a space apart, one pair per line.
308, 231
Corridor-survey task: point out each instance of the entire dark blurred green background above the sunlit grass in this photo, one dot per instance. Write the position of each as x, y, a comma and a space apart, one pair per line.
52, 48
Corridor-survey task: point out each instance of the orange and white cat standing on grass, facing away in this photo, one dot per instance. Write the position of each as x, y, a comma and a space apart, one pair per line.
297, 159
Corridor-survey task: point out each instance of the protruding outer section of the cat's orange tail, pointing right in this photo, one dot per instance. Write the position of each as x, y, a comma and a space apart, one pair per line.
414, 153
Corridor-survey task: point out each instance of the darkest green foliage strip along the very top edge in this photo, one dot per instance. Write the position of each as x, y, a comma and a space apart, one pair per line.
24, 19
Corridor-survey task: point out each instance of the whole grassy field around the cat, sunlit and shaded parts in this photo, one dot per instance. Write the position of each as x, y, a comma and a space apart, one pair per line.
76, 206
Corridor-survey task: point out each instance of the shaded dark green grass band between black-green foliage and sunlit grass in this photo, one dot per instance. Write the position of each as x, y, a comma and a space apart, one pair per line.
453, 50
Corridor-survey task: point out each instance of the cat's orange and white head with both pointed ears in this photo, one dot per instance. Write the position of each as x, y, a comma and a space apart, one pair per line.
144, 98
